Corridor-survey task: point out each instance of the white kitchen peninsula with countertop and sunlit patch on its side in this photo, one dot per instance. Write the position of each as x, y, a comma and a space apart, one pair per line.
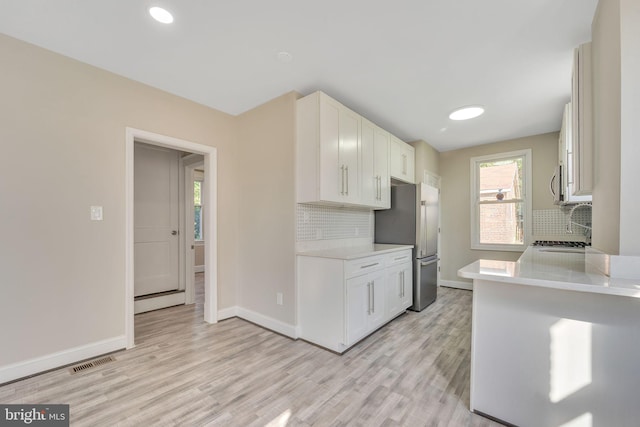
554, 342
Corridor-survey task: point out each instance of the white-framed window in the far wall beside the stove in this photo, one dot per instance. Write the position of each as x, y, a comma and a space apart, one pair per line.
501, 201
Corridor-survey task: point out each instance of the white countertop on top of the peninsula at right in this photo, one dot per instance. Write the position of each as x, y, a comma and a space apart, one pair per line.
551, 268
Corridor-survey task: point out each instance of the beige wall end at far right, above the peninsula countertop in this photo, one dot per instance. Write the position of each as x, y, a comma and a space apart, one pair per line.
616, 86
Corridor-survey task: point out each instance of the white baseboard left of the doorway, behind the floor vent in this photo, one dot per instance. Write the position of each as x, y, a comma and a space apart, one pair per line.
36, 365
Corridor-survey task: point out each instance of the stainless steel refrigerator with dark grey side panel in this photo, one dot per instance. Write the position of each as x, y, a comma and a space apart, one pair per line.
413, 220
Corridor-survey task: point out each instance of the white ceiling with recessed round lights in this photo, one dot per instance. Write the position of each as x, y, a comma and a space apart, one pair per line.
404, 64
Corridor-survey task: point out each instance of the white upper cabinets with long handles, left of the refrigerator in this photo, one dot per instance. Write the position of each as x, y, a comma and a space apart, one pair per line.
341, 157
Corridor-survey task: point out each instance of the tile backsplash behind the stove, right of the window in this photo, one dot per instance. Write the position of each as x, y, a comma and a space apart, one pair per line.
553, 222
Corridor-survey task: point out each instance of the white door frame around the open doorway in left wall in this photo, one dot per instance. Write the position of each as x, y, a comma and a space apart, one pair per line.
210, 154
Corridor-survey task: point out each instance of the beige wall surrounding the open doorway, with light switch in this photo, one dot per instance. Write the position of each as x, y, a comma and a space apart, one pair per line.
62, 130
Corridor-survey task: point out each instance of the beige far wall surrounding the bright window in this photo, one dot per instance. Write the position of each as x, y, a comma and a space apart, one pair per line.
455, 220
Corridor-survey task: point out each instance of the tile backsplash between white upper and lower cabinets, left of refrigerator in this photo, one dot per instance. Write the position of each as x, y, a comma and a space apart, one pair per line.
328, 222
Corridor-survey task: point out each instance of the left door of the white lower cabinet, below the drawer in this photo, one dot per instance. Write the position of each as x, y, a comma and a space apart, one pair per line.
358, 307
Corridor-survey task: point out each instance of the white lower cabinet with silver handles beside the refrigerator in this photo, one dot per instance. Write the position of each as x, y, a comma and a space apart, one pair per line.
342, 301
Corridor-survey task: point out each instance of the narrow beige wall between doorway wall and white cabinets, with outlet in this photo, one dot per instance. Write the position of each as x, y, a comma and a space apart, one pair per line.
266, 214
